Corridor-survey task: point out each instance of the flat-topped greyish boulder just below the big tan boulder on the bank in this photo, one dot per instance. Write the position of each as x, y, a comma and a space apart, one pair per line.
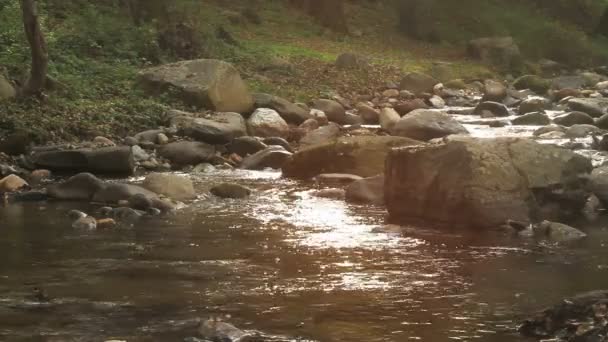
217, 128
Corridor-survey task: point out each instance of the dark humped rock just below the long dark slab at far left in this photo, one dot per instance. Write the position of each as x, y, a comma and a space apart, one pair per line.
79, 187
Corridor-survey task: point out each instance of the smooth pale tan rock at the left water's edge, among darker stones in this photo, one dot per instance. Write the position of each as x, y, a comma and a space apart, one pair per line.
173, 186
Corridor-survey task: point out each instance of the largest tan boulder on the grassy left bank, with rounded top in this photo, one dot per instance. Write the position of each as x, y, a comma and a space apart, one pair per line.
207, 83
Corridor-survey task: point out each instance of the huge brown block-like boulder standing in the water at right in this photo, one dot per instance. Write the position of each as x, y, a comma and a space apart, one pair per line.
482, 183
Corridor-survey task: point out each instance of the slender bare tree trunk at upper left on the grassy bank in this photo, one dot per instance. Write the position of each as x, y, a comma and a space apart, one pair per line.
37, 80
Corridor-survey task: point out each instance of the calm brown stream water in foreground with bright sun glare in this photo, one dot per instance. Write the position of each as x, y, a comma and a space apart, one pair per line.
289, 265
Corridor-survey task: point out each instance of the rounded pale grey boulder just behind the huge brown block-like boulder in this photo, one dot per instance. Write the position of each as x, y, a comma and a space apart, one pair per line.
425, 125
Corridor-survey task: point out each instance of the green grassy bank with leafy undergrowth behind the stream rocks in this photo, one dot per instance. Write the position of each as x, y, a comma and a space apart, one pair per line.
96, 49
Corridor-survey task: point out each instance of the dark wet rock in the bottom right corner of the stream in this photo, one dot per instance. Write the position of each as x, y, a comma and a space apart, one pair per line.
581, 318
